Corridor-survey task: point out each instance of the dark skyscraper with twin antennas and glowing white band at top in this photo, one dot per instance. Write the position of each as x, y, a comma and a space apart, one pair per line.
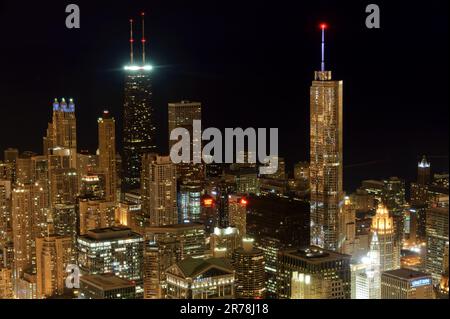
138, 122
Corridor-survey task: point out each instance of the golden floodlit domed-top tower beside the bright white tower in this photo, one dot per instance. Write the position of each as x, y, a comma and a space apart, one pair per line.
383, 227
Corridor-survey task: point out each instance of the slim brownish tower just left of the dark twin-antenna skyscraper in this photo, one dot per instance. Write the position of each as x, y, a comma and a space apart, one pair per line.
107, 154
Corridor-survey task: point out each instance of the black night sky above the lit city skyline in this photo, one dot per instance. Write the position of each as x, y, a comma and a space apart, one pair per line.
249, 62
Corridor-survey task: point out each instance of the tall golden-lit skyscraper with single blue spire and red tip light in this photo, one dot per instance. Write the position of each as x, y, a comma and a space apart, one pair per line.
326, 157
